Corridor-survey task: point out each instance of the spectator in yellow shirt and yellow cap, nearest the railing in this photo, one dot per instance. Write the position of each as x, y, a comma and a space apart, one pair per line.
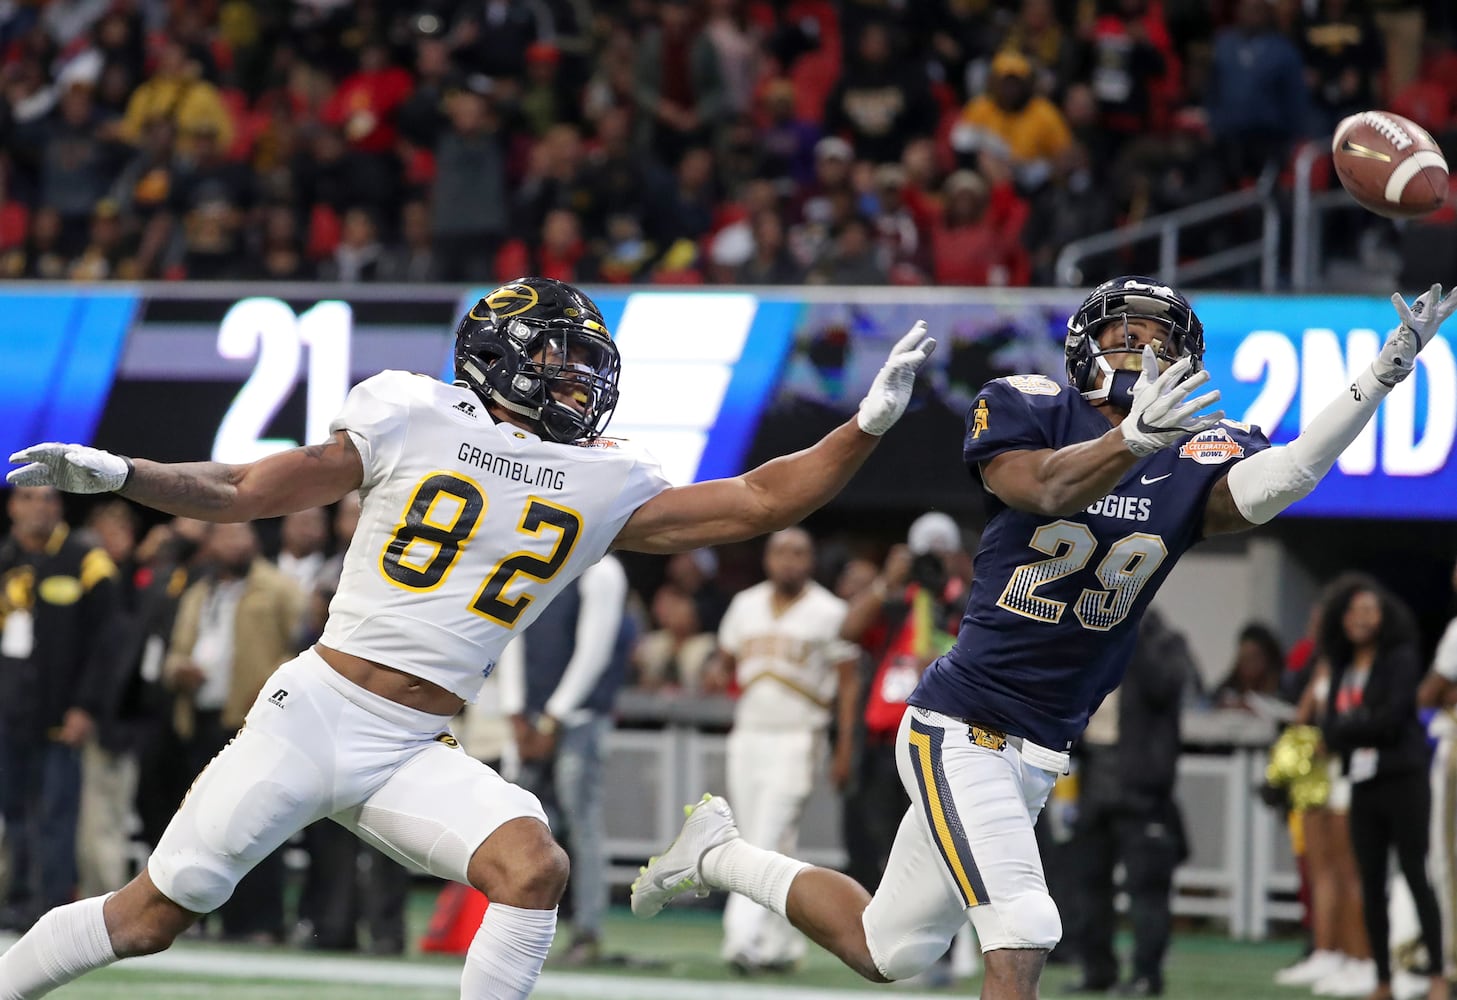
1013, 122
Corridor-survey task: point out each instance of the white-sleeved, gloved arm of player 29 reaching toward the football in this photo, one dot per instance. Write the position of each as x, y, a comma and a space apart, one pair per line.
1264, 485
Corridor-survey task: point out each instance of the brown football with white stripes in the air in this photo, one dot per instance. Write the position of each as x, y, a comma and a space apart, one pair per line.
1389, 165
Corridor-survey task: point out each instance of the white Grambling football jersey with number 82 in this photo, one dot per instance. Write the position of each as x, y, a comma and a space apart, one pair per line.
468, 527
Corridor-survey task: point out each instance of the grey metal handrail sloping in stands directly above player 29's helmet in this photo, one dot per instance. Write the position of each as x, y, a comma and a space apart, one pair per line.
1168, 228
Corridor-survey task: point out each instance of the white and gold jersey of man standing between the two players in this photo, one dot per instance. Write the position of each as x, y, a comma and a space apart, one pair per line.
786, 663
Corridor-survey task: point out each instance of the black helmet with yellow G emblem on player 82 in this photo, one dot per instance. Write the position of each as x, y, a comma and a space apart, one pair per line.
531, 340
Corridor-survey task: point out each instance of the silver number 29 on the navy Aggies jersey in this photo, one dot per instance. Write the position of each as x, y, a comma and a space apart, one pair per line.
1070, 547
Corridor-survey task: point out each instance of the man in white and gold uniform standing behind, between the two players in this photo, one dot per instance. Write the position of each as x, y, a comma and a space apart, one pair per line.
780, 642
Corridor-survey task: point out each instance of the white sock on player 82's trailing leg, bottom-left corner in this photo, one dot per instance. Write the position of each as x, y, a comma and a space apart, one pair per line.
65, 945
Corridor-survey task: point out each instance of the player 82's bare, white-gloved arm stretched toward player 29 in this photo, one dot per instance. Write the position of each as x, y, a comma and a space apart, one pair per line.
783, 492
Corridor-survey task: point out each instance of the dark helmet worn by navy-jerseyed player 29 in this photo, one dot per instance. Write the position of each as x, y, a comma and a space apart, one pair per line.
1118, 301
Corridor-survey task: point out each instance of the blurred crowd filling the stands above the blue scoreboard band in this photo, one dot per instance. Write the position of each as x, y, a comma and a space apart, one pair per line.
866, 142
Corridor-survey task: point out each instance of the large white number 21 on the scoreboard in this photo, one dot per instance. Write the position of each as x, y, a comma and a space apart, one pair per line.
269, 332
